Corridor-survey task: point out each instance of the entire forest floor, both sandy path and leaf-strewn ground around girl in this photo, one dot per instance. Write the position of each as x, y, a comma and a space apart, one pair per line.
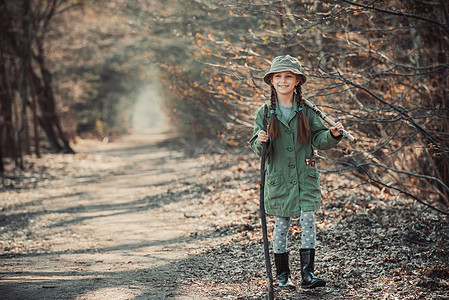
152, 217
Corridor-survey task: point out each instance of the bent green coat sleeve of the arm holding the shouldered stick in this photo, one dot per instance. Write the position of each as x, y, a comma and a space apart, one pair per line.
321, 136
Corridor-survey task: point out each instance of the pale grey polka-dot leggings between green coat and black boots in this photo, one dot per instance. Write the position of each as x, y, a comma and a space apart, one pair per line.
282, 224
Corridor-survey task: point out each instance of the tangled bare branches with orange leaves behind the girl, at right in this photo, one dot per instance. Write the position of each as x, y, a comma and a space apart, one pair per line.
378, 66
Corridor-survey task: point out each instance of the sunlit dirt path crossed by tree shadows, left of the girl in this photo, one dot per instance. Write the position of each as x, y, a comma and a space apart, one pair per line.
113, 223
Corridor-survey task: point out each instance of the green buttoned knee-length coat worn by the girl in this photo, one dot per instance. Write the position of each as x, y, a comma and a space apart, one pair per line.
290, 184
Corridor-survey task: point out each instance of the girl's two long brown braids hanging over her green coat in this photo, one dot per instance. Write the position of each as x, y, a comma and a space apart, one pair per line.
303, 123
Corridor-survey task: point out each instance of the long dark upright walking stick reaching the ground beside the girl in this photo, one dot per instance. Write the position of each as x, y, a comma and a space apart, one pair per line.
262, 212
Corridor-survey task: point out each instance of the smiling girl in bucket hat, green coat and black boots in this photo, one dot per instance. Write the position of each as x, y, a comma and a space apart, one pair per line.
292, 185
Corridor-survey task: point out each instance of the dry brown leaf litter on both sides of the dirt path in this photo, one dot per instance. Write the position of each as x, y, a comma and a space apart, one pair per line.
370, 245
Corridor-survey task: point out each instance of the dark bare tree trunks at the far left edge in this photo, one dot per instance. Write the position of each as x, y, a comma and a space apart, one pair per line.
26, 91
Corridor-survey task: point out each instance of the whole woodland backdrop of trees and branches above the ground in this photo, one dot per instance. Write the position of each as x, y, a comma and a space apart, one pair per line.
378, 66
